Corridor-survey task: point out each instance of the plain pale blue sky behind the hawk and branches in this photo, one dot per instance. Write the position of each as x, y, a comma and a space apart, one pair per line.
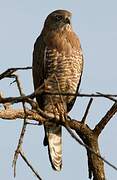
96, 24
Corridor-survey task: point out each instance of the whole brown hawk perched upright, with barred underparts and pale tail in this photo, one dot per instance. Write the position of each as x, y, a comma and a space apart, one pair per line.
58, 63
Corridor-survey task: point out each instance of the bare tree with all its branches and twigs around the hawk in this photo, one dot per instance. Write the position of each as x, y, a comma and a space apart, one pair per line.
89, 137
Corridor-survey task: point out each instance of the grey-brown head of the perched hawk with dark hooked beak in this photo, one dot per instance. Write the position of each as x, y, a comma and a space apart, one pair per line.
58, 19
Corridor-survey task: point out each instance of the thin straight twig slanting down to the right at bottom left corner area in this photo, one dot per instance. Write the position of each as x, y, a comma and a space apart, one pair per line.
30, 166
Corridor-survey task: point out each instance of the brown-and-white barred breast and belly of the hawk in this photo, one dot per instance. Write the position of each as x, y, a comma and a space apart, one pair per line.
63, 71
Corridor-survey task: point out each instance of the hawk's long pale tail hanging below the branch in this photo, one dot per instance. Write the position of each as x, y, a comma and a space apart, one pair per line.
53, 138
